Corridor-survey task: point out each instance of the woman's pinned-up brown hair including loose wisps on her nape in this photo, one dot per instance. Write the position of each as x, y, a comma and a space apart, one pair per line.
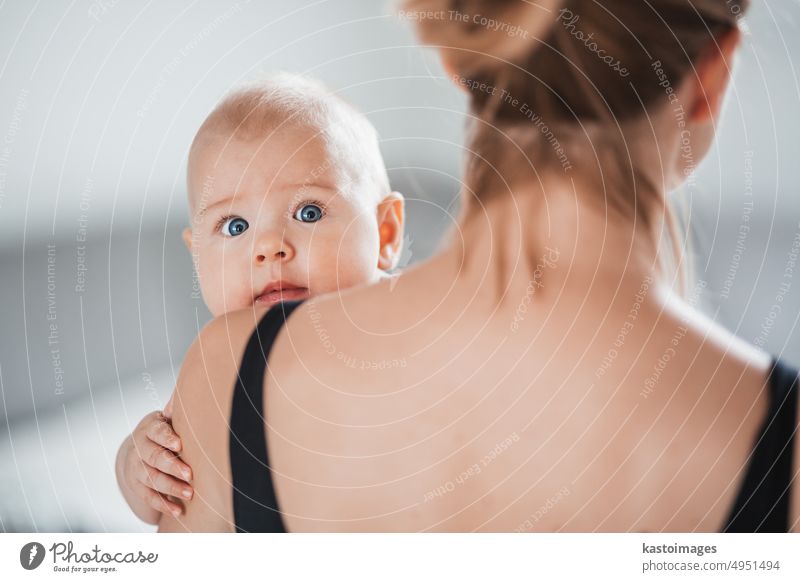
540, 72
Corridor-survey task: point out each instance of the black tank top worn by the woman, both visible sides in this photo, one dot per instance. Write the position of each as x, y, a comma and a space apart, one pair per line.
762, 503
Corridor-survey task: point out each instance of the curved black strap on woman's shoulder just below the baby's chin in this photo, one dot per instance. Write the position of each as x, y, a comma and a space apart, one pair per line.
255, 507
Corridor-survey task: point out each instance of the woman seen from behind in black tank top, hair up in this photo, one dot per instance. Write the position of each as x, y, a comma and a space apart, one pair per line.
542, 373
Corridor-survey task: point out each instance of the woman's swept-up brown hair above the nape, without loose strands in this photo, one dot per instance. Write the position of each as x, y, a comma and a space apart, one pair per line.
573, 59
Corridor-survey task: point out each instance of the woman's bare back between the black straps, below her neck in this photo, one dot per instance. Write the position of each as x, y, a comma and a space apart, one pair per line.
476, 416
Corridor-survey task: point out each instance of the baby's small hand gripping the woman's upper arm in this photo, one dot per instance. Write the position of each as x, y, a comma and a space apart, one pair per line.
152, 469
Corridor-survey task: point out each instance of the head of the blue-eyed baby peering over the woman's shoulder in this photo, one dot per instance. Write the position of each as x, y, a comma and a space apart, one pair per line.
289, 197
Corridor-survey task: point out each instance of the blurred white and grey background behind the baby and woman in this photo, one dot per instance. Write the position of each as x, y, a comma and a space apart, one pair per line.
99, 101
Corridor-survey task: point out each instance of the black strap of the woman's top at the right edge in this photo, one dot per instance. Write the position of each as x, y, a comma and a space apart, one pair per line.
763, 501
